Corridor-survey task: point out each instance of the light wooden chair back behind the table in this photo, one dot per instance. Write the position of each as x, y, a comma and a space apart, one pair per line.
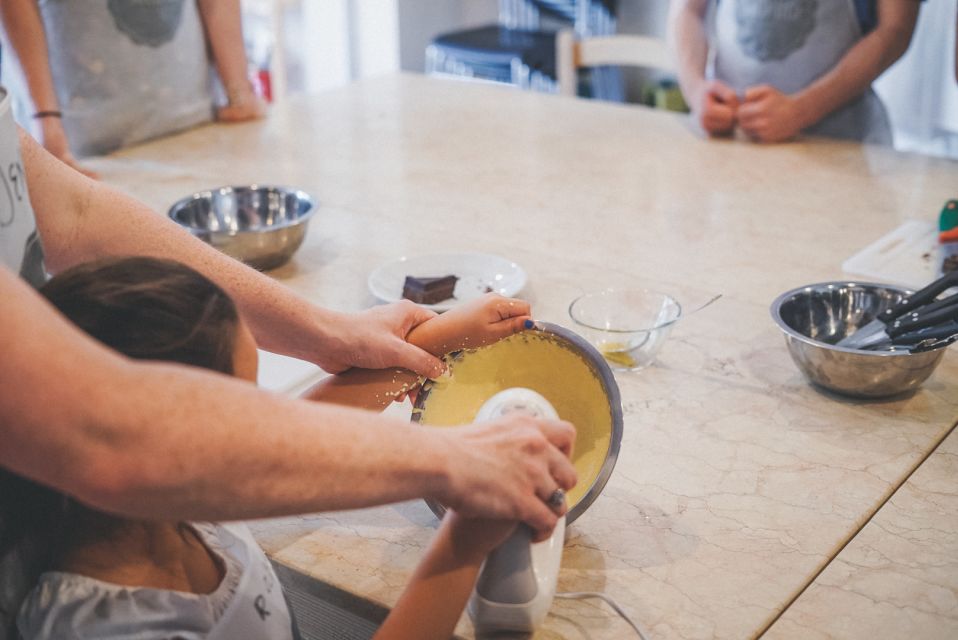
618, 50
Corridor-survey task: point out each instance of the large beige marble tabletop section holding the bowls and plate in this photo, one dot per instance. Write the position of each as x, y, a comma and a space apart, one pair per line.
737, 482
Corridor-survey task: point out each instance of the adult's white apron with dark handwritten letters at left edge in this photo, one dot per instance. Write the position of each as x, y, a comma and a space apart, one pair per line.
20, 249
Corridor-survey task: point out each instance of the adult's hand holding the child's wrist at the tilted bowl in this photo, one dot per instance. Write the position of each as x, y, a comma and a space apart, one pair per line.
376, 339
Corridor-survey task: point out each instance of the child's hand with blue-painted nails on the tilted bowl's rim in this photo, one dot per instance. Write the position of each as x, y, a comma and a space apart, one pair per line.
483, 321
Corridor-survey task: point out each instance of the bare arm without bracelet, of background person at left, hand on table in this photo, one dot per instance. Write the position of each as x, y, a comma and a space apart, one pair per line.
222, 23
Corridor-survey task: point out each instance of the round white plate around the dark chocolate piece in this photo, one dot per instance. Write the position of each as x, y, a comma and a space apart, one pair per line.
477, 272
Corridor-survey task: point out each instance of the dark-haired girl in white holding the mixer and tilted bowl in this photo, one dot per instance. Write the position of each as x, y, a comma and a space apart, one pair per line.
110, 577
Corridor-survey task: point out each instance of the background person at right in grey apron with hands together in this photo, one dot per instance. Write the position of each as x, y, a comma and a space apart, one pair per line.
784, 67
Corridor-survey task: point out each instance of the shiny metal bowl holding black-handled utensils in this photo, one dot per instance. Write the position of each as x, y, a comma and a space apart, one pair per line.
815, 317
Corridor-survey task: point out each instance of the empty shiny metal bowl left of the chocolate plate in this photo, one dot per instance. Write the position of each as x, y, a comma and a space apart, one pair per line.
262, 226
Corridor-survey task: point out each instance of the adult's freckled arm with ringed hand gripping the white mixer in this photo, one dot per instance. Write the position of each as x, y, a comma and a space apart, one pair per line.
155, 440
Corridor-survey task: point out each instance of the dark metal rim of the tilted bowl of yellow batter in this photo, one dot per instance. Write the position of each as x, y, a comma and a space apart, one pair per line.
615, 403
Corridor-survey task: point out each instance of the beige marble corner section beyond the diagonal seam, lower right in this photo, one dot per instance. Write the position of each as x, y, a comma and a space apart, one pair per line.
898, 578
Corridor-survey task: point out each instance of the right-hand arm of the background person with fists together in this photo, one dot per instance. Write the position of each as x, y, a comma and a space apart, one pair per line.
768, 115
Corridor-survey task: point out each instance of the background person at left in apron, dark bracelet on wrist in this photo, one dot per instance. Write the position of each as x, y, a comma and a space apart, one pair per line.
105, 74
